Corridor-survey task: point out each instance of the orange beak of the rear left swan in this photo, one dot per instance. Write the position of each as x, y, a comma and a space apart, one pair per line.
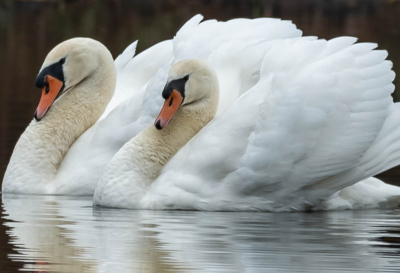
49, 94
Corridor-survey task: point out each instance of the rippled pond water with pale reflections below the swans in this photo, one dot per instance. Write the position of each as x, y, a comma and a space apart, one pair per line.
66, 234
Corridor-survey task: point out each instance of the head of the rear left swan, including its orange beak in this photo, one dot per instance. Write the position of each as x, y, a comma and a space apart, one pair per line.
66, 66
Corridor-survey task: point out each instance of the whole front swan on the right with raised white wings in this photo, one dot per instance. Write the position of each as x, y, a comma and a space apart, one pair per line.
319, 118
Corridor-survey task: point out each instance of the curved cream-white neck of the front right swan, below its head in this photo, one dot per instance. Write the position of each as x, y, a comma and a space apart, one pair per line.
140, 161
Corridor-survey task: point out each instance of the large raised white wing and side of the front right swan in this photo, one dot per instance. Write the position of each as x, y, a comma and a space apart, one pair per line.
316, 109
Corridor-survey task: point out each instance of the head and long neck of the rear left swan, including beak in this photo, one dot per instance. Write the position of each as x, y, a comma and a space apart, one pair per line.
77, 80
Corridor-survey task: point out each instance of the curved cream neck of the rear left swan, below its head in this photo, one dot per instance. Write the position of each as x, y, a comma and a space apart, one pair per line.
42, 147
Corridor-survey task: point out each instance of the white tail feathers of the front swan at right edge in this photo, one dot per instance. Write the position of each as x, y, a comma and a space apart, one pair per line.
369, 192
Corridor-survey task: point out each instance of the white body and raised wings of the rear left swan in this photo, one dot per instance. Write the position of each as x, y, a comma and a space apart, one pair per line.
140, 81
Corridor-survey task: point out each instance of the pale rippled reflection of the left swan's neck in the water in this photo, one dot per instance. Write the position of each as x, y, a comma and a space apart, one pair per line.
38, 231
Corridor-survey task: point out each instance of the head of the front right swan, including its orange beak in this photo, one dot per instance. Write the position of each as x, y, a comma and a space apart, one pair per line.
189, 82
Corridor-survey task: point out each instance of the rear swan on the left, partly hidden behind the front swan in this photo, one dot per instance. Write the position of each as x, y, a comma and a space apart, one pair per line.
91, 107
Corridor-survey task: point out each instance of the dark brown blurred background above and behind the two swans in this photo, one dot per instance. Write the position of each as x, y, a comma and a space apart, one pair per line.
30, 29
